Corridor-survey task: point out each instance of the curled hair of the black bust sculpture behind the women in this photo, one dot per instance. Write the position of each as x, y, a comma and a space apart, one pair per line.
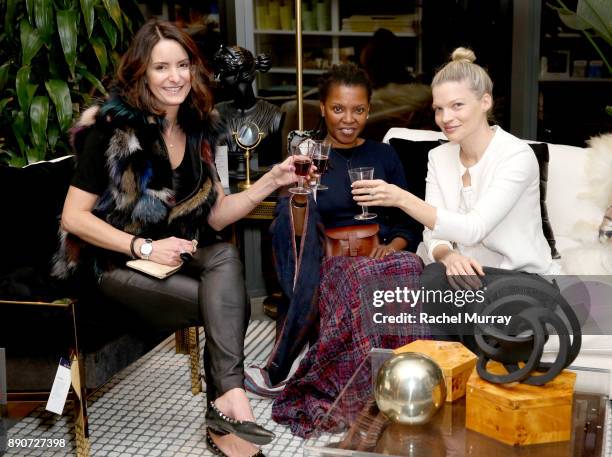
235, 60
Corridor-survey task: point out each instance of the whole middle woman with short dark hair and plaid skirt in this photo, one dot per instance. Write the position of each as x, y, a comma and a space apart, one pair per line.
331, 298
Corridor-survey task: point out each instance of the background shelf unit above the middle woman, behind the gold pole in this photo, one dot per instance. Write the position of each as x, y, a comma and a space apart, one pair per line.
321, 48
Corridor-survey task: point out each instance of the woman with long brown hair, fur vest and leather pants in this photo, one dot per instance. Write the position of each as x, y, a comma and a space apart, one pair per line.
146, 187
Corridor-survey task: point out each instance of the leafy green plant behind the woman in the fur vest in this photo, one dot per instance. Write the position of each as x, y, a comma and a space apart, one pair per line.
55, 57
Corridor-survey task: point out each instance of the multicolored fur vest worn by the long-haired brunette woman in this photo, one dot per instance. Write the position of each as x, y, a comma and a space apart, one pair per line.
140, 199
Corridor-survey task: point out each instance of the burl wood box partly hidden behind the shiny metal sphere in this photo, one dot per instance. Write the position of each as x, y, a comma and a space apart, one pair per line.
457, 363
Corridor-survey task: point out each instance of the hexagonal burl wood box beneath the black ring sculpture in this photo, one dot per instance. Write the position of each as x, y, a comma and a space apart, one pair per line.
519, 414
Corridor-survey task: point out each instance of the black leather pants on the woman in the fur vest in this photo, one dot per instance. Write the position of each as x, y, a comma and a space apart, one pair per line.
209, 290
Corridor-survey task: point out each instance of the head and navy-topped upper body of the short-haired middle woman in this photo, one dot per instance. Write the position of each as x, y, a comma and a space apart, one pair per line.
344, 95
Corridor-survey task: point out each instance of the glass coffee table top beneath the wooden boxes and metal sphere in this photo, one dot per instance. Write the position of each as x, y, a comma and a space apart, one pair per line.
354, 426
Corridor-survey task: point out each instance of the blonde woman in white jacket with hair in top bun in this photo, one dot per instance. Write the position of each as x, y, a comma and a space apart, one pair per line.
482, 205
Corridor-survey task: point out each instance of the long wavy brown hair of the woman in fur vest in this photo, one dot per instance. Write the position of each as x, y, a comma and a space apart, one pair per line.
130, 80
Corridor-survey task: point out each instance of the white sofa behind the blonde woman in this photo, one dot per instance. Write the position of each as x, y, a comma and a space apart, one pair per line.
575, 214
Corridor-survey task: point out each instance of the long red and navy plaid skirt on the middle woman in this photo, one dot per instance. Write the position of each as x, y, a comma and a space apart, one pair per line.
348, 293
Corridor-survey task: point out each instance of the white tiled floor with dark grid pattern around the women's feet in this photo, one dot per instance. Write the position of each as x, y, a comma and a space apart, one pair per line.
148, 410
